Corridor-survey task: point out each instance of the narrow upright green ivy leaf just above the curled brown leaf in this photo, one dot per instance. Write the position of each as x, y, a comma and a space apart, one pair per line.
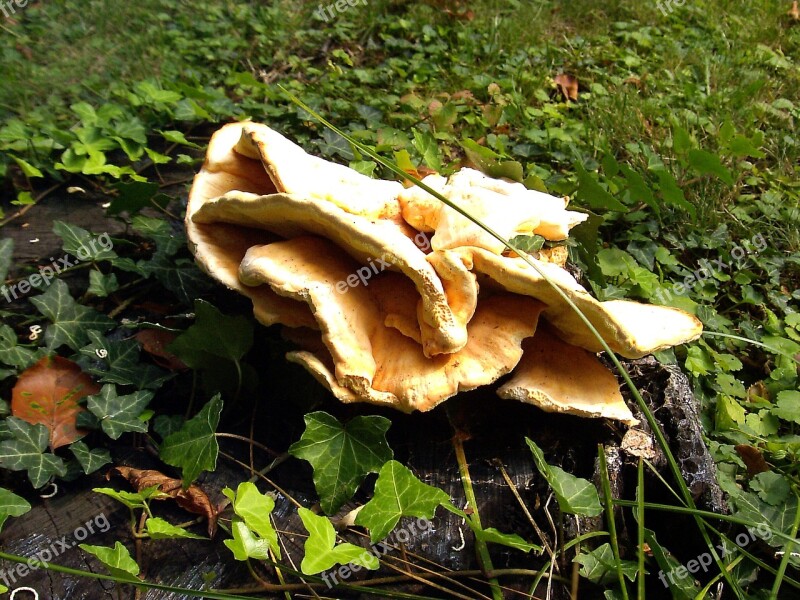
194, 447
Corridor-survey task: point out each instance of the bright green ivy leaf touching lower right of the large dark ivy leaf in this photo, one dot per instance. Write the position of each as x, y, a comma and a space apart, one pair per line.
398, 493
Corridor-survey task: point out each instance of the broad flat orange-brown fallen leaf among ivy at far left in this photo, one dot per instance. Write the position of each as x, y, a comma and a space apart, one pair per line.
48, 392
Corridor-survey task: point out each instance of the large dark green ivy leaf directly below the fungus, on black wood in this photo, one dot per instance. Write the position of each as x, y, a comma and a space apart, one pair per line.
342, 455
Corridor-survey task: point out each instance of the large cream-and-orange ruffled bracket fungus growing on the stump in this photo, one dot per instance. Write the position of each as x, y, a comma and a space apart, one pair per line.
394, 298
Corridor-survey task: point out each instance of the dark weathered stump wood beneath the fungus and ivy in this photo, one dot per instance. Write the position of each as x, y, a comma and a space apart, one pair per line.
496, 430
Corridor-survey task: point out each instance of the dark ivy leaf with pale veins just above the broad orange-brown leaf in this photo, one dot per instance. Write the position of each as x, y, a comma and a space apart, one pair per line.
69, 320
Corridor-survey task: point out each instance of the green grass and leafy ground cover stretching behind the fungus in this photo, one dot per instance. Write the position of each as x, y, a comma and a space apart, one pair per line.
660, 97
